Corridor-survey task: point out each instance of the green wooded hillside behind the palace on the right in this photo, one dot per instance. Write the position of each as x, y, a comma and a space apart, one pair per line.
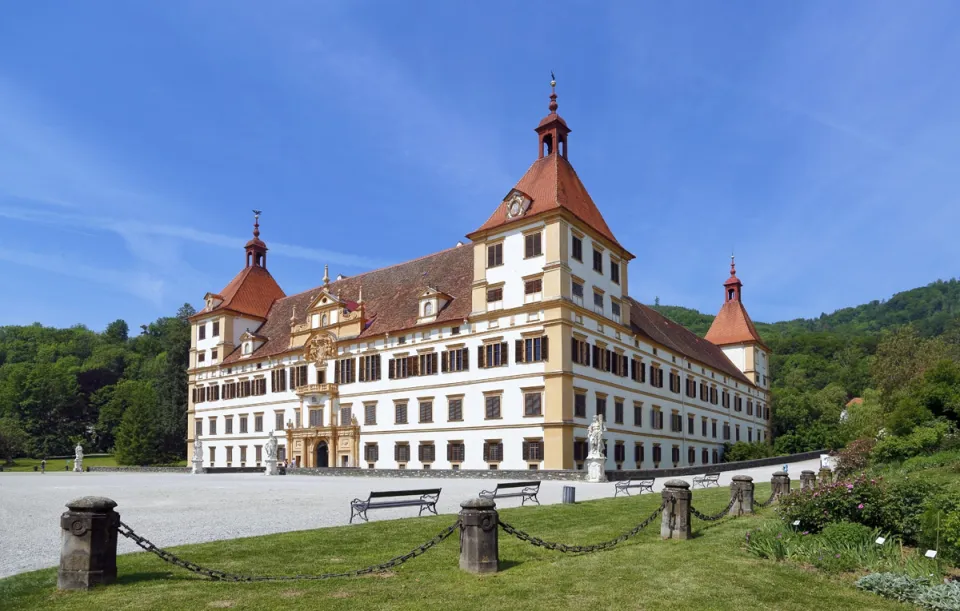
901, 355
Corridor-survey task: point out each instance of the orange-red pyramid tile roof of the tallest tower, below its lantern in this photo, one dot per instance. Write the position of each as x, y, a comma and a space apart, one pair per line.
551, 183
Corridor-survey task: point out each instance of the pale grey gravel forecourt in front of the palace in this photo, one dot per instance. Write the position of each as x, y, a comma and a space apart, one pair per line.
173, 509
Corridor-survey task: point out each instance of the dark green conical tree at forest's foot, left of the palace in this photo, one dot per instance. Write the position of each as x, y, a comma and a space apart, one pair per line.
139, 438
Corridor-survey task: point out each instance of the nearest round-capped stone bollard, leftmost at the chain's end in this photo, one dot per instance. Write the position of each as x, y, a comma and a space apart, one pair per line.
88, 552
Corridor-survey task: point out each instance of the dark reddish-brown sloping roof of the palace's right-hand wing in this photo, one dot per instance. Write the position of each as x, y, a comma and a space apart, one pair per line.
654, 326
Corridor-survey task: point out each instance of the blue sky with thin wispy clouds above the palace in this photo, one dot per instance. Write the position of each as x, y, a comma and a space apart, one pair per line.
818, 139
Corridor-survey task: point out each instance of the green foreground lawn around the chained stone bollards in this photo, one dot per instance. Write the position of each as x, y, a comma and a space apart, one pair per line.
711, 571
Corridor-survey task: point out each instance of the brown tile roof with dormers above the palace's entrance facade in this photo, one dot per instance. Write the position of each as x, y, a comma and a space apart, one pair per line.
390, 298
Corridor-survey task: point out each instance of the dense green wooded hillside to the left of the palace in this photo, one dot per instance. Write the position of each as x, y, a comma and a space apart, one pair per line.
108, 391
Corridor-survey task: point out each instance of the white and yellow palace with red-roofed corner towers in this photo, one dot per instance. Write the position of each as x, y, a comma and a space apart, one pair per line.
494, 354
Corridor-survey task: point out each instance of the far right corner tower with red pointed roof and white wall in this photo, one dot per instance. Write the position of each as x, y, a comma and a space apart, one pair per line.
734, 332
